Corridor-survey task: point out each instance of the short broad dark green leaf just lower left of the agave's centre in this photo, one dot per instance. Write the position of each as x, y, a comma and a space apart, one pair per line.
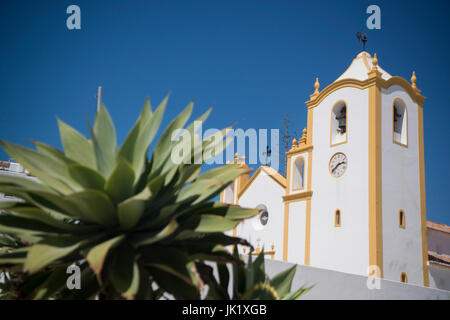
94, 206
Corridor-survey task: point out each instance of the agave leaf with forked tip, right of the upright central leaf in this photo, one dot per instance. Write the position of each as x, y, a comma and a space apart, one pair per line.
136, 145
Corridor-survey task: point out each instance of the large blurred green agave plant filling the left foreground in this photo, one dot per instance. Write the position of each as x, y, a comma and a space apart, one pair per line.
136, 226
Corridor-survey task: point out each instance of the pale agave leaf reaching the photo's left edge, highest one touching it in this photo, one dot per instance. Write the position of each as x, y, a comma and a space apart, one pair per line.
48, 170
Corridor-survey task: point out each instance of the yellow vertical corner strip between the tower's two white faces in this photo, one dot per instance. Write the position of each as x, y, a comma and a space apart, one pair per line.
375, 200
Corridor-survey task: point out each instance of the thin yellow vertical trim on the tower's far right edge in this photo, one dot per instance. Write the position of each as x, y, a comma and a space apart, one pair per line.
423, 207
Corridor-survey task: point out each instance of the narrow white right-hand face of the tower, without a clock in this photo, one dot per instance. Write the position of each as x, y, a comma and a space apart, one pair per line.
402, 248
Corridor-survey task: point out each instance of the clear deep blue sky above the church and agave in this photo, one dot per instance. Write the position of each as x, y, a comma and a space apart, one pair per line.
254, 60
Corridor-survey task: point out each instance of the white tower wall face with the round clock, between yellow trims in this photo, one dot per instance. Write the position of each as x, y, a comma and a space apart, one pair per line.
344, 248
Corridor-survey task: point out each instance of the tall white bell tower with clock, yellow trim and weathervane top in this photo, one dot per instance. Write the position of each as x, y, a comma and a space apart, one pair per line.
367, 210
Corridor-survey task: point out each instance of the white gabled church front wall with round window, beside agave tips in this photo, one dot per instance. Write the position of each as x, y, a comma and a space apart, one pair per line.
264, 190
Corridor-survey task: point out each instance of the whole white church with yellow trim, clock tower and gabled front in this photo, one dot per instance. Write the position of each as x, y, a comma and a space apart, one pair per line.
353, 199
